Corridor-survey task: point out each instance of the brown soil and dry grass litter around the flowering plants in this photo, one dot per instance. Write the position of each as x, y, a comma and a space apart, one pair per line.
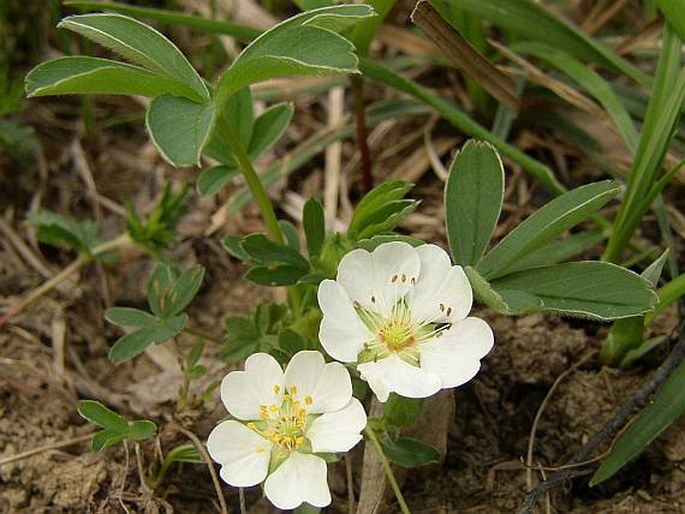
55, 351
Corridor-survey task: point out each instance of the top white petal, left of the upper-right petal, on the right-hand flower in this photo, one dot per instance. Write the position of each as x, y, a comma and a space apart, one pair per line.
397, 266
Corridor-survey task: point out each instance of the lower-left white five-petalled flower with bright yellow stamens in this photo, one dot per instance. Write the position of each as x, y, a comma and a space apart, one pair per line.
282, 421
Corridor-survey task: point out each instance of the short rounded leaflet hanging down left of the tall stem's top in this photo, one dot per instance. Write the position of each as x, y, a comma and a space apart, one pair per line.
179, 128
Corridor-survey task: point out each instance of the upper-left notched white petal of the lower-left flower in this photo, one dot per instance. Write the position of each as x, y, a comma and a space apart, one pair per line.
244, 391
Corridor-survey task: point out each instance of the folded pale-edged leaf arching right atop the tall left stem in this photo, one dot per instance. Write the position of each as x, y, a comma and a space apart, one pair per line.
306, 44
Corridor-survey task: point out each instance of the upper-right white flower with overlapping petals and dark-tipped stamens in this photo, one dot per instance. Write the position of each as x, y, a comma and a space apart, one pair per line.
401, 313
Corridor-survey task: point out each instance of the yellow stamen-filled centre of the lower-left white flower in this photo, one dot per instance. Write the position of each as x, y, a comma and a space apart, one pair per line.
284, 425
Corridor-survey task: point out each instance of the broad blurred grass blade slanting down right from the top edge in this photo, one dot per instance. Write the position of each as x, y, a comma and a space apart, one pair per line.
530, 19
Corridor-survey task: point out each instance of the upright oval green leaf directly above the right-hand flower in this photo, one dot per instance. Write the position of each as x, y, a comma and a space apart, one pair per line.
473, 200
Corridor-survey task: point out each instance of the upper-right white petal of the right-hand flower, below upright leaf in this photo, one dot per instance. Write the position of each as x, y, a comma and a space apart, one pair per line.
443, 292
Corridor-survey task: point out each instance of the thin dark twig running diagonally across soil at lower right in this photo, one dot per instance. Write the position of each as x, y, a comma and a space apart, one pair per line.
637, 399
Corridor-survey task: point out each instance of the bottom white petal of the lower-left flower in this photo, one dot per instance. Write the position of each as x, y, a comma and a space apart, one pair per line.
301, 478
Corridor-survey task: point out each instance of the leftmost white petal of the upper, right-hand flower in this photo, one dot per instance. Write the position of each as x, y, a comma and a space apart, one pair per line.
342, 333
